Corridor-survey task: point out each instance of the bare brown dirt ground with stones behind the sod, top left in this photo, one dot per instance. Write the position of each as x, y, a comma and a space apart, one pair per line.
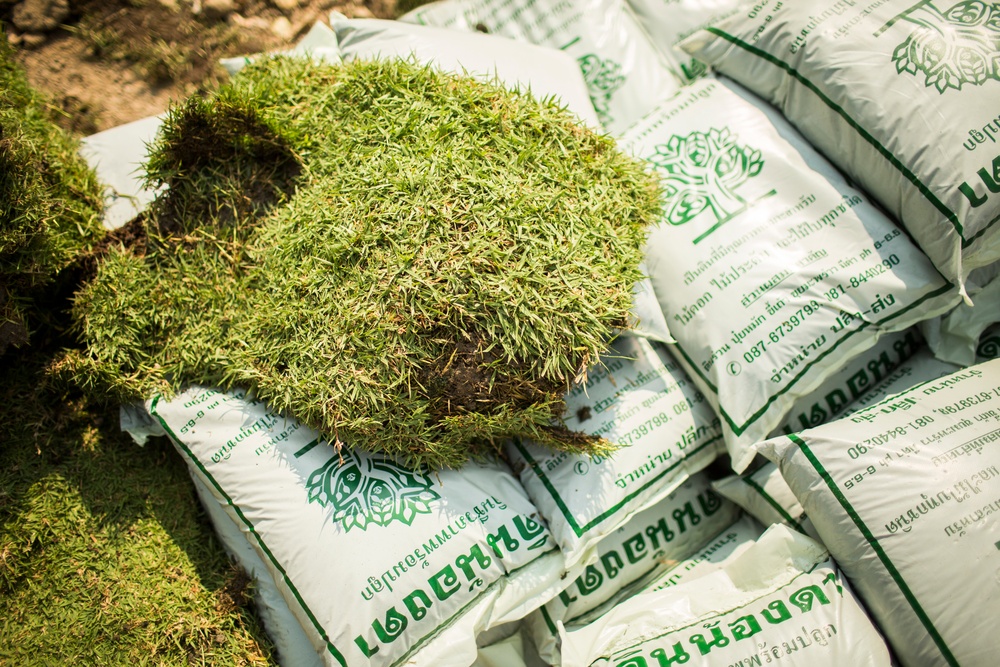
107, 62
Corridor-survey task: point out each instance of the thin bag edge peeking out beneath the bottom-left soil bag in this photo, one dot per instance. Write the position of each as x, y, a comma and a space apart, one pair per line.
290, 640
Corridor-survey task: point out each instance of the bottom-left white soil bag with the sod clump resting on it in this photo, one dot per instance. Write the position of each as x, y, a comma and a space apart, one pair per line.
379, 563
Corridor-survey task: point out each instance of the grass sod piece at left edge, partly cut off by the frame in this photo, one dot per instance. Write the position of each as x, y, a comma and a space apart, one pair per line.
50, 206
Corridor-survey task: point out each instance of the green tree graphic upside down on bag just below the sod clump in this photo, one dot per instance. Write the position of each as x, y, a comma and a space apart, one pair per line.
364, 490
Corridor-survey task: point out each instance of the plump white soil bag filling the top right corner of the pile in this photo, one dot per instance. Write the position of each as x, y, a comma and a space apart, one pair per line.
871, 85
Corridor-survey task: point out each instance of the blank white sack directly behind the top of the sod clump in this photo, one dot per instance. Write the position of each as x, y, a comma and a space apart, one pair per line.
545, 72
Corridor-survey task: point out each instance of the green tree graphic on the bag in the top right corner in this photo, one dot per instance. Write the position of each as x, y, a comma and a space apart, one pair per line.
954, 47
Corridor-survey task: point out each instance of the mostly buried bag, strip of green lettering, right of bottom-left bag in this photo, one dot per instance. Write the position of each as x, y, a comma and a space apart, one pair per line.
651, 542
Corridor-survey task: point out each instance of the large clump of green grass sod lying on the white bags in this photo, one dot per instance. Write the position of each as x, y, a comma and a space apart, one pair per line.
436, 260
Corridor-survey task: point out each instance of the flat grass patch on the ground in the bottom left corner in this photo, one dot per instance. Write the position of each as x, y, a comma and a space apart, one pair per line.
106, 557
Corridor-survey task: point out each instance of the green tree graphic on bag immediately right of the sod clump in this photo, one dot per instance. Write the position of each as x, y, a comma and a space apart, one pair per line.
701, 171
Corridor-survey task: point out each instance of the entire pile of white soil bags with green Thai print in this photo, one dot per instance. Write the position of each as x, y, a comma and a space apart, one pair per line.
807, 405
